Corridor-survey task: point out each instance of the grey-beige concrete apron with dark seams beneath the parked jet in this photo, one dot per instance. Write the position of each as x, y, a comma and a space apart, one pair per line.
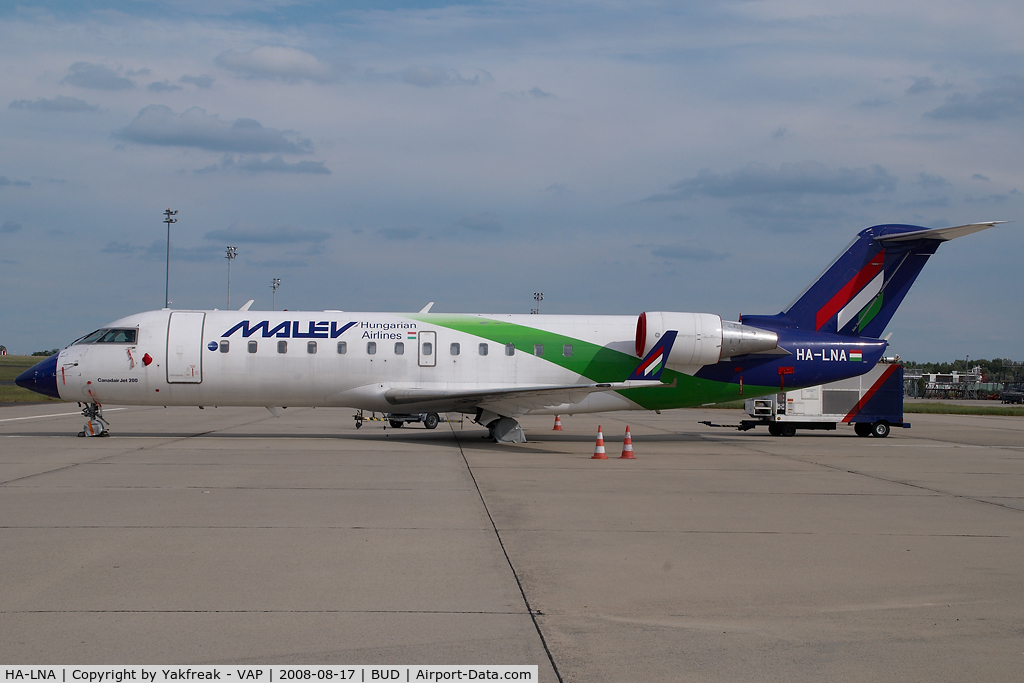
228, 536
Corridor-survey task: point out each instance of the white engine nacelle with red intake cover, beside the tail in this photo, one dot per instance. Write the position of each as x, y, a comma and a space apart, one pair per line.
702, 339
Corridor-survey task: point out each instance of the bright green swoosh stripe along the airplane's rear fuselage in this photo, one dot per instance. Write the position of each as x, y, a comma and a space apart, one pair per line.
599, 364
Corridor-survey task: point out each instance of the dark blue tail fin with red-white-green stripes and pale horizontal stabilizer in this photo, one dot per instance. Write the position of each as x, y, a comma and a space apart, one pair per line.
861, 291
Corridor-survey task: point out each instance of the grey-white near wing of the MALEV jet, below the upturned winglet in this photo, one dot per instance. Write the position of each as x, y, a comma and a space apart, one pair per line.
529, 398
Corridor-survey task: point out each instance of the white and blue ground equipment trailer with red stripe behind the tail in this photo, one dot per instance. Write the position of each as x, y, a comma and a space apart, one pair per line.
873, 403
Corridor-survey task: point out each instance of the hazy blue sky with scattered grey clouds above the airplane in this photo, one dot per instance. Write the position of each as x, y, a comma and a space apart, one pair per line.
619, 157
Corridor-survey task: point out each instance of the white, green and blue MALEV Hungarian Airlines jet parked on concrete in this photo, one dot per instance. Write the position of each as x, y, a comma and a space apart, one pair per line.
497, 368
